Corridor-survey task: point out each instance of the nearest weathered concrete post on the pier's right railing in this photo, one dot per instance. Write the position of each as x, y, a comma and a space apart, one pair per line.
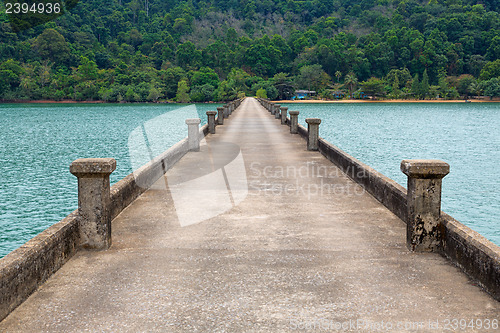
423, 230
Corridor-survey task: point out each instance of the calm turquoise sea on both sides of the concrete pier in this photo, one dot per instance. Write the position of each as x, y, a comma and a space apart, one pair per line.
39, 141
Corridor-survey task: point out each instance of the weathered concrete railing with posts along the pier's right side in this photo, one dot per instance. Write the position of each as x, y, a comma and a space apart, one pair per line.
478, 257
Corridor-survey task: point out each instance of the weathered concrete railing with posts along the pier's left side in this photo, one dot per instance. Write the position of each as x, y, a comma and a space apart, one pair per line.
23, 270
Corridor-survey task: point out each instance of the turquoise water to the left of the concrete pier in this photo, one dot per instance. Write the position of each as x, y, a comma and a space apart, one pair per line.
39, 141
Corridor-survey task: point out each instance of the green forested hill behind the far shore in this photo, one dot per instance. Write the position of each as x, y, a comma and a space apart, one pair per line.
150, 50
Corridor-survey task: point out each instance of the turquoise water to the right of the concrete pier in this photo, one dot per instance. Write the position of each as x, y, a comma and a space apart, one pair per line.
467, 136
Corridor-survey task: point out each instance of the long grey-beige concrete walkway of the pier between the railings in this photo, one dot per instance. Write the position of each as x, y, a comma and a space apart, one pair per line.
292, 244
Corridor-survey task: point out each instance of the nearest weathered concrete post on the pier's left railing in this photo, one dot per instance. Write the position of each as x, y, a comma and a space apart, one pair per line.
94, 200
